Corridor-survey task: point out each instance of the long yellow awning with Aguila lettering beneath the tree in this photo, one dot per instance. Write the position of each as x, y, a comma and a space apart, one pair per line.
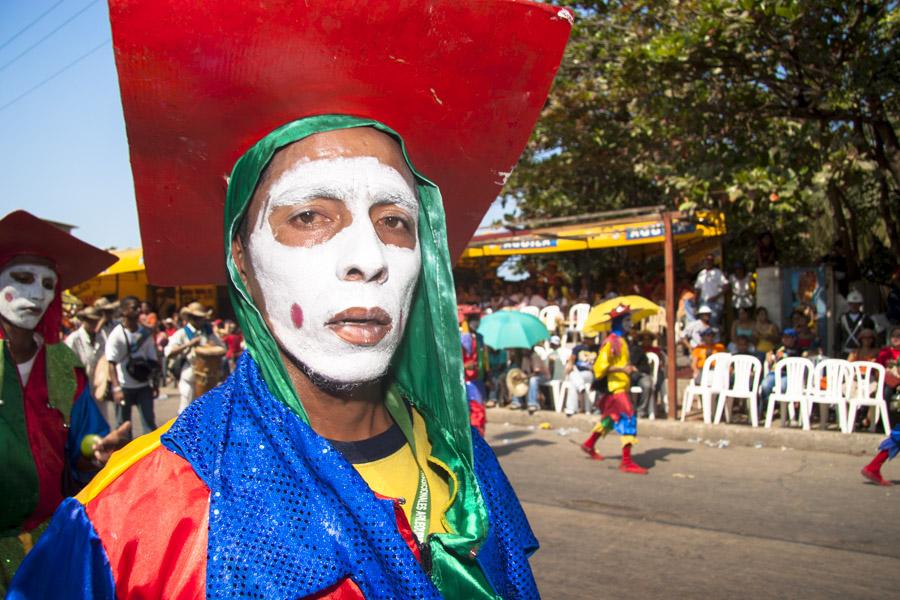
596, 235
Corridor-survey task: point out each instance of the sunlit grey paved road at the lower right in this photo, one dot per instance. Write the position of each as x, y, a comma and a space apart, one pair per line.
705, 523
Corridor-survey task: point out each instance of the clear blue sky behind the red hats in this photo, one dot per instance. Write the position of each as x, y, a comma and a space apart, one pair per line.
63, 147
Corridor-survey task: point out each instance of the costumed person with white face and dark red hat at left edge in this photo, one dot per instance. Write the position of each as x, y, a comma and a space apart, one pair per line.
52, 436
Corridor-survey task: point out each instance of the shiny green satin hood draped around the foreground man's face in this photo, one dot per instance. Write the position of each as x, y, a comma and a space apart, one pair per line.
427, 367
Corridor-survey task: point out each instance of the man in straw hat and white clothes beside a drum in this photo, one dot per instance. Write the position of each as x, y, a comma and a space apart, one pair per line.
180, 350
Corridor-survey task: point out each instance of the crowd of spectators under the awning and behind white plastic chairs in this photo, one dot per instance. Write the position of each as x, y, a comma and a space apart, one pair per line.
716, 312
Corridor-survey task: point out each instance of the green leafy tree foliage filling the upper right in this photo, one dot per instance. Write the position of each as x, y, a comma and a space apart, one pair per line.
783, 114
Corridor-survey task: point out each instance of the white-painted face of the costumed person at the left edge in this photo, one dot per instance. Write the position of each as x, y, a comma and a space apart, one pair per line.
26, 290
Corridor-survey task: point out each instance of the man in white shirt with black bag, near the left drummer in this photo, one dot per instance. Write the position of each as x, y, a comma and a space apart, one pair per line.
130, 342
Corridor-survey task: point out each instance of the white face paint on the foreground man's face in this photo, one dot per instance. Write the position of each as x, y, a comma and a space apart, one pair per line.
308, 290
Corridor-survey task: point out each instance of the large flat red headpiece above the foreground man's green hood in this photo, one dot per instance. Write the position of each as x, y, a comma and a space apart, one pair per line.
462, 81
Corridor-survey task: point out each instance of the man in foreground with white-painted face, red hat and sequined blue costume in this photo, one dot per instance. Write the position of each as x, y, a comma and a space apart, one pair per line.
337, 460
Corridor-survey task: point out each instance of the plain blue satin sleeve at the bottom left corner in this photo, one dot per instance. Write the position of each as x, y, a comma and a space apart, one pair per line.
67, 562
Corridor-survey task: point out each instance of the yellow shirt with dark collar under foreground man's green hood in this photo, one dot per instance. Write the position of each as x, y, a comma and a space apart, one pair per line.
397, 476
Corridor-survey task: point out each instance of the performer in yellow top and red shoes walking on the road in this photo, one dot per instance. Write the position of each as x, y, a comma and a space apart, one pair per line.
616, 411
